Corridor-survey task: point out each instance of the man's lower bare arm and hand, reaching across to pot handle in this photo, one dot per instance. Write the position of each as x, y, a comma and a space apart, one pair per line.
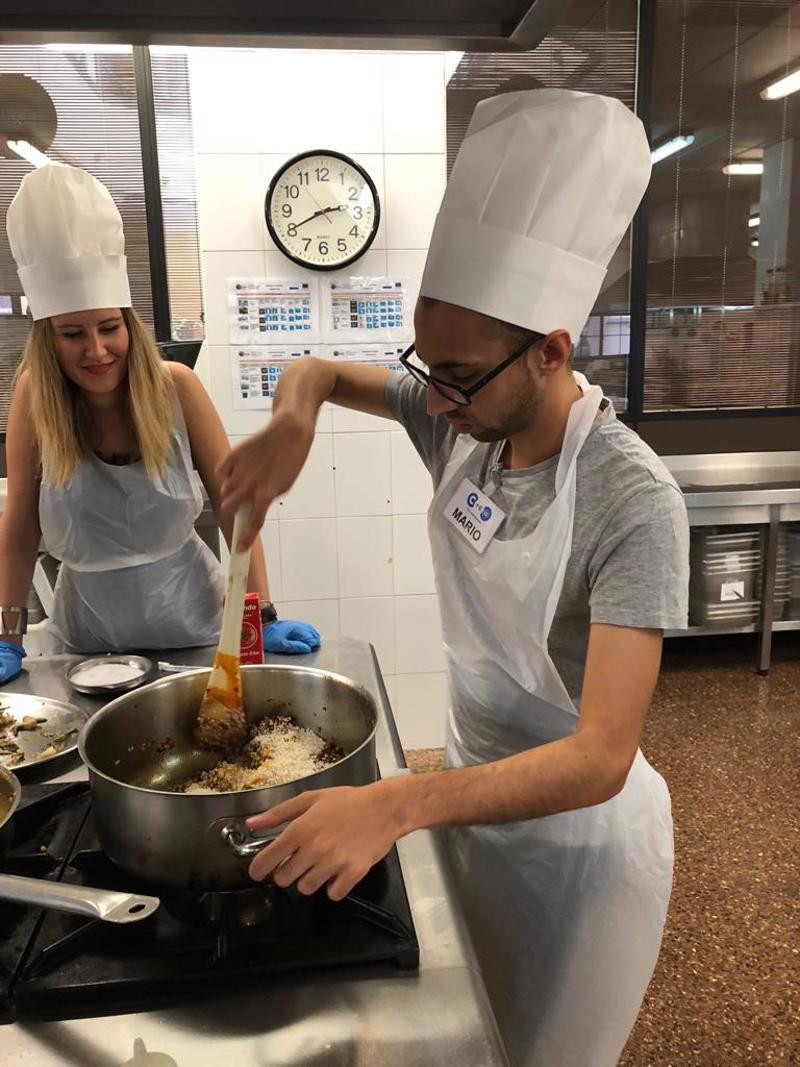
335, 836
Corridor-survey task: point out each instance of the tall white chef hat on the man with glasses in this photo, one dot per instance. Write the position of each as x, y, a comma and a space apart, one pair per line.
542, 192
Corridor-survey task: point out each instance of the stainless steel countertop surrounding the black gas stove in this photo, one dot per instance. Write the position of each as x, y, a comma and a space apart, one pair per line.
339, 1021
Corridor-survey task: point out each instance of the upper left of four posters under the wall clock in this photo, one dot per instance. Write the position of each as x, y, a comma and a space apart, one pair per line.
263, 311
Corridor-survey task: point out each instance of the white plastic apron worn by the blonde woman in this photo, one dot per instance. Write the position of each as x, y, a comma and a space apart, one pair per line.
134, 574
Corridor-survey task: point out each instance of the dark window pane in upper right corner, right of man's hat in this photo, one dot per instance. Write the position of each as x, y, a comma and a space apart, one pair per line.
724, 329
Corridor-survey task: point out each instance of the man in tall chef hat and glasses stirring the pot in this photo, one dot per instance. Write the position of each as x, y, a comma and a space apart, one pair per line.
561, 549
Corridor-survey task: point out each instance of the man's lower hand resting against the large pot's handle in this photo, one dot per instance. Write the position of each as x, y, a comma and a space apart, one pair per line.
334, 837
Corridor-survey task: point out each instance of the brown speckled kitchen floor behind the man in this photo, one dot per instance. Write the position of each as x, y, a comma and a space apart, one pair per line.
727, 990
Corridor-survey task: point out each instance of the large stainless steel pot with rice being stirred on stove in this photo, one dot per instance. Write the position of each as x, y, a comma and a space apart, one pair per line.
173, 814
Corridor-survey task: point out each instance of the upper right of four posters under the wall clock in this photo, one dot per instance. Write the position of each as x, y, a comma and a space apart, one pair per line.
366, 310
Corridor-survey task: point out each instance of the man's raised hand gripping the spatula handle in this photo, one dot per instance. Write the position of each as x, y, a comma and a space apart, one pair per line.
264, 468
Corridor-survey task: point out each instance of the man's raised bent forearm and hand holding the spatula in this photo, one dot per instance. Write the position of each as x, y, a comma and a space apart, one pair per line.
267, 466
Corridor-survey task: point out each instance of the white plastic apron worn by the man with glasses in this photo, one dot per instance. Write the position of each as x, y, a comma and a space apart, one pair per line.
567, 912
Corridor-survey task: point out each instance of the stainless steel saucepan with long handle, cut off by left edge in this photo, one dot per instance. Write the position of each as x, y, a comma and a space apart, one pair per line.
97, 903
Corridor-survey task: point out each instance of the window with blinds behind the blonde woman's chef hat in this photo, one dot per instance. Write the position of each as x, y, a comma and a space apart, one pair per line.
78, 105
